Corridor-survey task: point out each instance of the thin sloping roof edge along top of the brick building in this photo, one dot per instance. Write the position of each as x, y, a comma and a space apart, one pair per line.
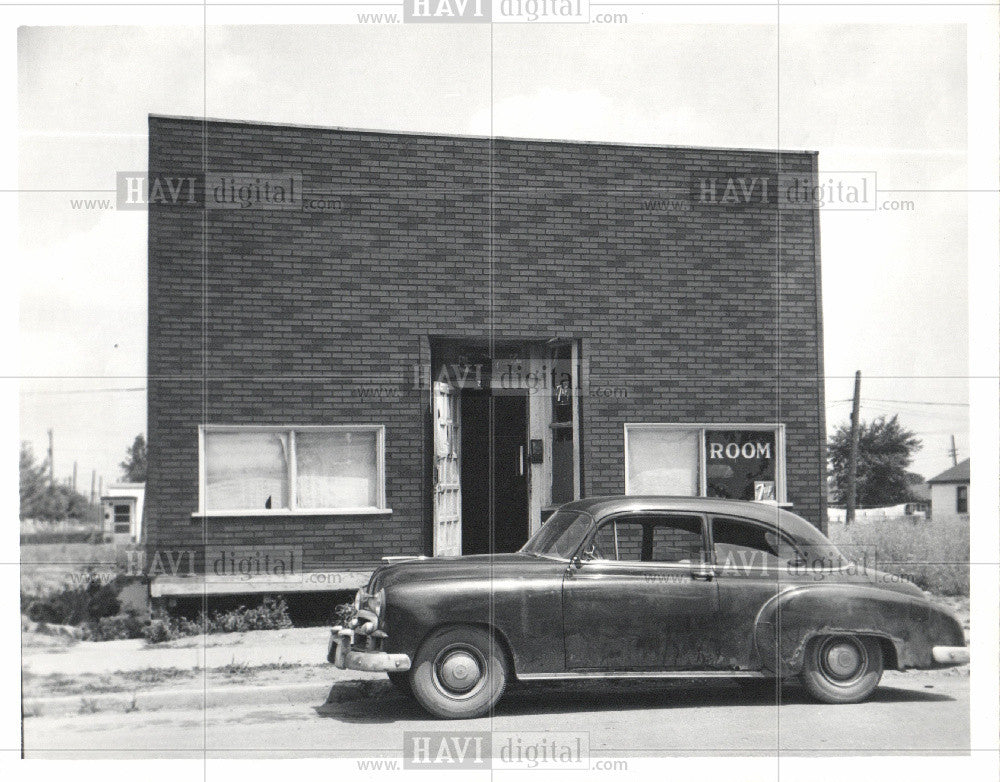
473, 136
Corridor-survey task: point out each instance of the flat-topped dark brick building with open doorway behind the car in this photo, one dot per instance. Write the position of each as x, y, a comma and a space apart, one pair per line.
426, 342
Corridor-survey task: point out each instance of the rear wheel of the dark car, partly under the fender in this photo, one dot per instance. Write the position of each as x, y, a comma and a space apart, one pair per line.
842, 668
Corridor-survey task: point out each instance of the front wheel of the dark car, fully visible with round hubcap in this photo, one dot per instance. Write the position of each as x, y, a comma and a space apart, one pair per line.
460, 672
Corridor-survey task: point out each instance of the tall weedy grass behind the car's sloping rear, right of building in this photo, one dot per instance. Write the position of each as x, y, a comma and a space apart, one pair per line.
933, 554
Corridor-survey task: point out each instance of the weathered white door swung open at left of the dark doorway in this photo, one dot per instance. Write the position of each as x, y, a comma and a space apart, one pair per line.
447, 473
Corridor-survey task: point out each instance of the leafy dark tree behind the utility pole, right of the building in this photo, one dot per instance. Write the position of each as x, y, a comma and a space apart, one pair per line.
885, 450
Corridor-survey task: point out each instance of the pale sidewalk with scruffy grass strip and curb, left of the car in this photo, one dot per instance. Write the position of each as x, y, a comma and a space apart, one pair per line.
199, 672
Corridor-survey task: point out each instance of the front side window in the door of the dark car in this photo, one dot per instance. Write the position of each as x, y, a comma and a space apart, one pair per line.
650, 539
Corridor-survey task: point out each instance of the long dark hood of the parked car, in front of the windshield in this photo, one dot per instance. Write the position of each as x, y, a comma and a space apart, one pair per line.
471, 566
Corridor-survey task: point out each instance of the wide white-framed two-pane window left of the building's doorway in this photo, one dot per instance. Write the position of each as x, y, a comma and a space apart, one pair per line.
310, 469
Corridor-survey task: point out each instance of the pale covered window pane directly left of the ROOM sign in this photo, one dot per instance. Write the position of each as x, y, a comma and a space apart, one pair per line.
663, 461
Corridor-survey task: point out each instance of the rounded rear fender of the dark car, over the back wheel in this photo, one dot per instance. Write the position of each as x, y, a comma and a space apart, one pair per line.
909, 626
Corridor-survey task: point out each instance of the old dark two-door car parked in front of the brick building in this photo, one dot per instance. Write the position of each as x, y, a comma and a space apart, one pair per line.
636, 587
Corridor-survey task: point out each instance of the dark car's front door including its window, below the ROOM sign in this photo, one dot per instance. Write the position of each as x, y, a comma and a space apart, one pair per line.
642, 597
